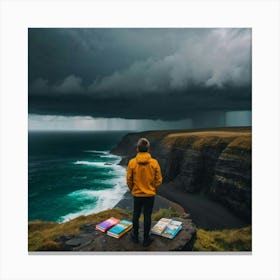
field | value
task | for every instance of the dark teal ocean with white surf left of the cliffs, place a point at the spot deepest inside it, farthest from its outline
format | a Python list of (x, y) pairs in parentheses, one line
[(72, 174)]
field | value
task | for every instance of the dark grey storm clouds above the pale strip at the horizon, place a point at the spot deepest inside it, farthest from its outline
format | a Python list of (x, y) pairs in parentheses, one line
[(166, 74)]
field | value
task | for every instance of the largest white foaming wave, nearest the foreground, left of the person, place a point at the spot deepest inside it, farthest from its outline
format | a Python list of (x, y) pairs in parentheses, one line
[(101, 200)]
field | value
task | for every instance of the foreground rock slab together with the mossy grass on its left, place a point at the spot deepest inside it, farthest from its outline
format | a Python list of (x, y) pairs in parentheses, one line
[(80, 234)]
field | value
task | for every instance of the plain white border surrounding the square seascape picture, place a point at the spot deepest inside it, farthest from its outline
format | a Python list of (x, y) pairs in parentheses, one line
[(261, 16)]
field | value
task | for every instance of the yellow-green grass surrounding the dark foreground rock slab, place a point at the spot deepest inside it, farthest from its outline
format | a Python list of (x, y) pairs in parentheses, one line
[(41, 235)]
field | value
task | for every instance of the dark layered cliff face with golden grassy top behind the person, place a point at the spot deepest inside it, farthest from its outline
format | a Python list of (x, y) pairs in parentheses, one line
[(215, 163)]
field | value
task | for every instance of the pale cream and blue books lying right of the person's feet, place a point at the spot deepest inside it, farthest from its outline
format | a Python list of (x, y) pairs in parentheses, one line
[(167, 228)]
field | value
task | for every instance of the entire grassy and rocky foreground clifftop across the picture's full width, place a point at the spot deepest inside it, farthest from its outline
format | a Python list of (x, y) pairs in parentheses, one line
[(80, 235)]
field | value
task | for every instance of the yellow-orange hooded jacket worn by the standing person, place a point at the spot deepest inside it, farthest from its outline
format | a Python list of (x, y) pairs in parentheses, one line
[(143, 175)]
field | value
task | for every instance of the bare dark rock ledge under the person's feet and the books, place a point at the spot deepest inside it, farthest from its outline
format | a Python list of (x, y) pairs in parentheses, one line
[(89, 239)]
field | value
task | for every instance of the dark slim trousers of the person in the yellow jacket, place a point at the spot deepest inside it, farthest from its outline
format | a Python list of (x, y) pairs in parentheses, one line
[(147, 204)]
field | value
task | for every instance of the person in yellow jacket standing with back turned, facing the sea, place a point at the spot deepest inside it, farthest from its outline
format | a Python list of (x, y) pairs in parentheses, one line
[(143, 177)]
